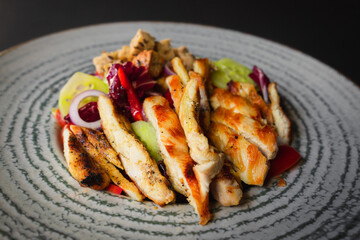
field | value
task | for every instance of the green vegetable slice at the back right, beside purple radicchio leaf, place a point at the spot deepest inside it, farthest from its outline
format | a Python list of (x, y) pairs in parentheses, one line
[(228, 70)]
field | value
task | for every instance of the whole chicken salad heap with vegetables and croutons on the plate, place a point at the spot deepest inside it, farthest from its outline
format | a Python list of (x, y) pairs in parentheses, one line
[(156, 122)]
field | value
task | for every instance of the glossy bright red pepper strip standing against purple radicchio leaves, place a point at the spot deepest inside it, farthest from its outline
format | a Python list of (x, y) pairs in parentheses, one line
[(135, 105)]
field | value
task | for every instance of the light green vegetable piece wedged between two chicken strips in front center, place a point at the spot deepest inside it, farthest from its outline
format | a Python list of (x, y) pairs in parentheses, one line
[(147, 135)]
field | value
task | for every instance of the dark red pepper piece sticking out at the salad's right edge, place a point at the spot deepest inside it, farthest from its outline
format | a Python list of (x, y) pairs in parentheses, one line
[(286, 157)]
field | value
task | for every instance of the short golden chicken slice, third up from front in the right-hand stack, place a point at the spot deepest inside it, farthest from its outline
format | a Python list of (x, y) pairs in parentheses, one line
[(238, 104)]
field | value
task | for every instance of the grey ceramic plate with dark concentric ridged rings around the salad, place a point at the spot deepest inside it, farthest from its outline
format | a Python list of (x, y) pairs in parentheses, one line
[(39, 198)]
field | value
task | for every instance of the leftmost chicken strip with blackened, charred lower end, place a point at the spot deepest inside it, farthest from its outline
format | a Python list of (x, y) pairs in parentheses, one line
[(80, 164)]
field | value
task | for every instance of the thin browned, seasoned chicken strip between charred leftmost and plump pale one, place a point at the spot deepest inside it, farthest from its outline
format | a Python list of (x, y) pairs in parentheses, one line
[(97, 147)]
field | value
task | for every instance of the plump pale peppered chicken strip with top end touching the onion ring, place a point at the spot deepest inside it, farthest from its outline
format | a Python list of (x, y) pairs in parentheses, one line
[(137, 162)]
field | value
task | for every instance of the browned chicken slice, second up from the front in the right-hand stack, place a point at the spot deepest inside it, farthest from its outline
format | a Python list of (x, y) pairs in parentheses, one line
[(262, 136)]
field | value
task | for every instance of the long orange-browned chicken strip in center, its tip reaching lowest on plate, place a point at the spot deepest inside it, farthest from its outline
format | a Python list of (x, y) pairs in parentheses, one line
[(172, 142)]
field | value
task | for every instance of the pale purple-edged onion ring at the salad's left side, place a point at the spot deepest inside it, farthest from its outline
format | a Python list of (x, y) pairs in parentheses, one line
[(74, 109)]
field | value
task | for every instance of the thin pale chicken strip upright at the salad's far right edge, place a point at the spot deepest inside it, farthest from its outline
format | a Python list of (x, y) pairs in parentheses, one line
[(281, 121)]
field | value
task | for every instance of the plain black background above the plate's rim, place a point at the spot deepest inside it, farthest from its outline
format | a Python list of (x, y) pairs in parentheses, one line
[(326, 30)]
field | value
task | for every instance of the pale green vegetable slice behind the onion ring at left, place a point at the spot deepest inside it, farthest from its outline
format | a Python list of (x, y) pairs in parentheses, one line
[(79, 82)]
